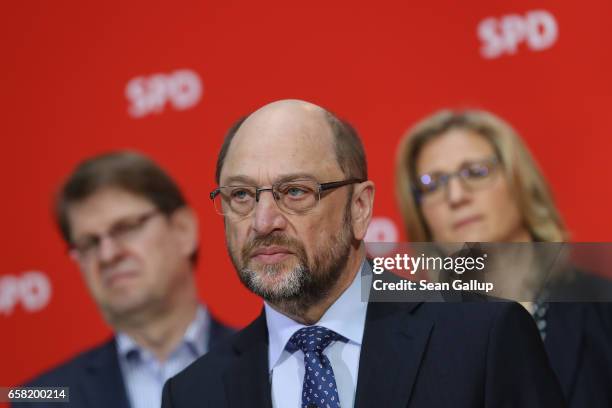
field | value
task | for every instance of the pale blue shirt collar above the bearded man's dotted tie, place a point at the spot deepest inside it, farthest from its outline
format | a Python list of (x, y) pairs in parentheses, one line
[(346, 316)]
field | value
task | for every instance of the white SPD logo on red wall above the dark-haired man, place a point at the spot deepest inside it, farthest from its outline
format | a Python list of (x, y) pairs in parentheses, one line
[(181, 89)]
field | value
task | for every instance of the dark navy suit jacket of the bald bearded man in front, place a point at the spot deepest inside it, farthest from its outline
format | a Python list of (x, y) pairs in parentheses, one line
[(418, 355)]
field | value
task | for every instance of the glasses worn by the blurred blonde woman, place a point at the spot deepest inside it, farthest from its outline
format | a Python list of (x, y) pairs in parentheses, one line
[(474, 175)]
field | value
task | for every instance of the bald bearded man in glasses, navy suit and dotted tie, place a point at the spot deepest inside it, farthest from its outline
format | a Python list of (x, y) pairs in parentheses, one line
[(296, 200)]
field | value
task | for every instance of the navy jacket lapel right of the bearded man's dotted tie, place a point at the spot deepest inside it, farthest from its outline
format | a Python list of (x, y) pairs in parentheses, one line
[(393, 345)]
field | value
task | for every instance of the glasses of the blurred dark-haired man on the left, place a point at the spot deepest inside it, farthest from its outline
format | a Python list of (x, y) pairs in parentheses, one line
[(121, 232)]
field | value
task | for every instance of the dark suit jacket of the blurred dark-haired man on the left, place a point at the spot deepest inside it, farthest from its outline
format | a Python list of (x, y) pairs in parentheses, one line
[(94, 376)]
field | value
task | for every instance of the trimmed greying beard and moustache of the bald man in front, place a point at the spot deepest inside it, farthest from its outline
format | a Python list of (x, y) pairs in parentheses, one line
[(304, 285)]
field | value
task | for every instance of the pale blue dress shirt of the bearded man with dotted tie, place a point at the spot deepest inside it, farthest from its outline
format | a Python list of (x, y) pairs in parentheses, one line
[(346, 316)]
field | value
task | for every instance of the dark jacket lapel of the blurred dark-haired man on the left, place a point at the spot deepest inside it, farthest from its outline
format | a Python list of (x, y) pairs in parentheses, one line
[(102, 383)]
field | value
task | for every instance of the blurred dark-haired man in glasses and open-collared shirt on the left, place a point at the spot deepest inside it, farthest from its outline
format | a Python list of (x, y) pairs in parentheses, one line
[(135, 240)]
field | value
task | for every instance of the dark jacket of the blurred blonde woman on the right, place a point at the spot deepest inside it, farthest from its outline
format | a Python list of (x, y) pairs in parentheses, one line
[(579, 337)]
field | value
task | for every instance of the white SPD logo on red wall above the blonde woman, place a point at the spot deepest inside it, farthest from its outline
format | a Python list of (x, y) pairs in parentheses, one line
[(537, 29)]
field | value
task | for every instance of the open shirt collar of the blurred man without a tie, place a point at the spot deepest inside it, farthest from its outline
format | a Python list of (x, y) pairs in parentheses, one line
[(195, 338)]
